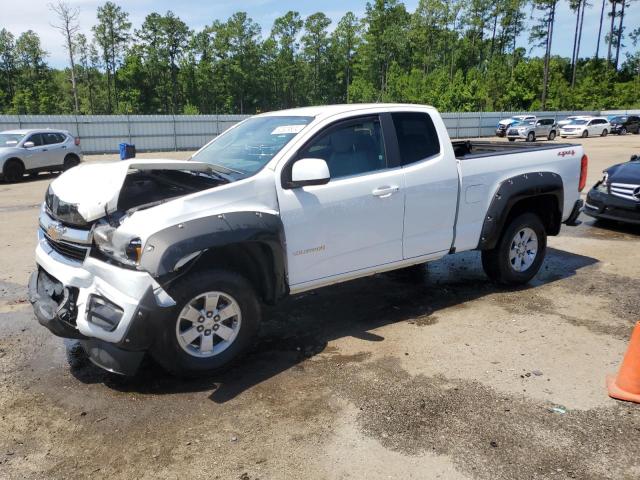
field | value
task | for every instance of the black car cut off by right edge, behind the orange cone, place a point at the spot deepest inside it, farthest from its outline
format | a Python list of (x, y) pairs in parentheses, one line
[(617, 195)]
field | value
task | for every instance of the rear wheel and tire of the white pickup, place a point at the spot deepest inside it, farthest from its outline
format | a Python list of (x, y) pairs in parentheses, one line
[(499, 264)]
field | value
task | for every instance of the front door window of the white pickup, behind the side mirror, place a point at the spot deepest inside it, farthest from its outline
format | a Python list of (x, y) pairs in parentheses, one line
[(350, 149)]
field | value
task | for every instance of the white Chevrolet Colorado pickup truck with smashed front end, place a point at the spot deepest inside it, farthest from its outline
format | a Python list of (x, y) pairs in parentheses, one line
[(174, 258)]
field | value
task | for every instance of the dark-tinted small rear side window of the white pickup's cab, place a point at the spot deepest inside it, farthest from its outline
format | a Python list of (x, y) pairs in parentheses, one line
[(417, 137)]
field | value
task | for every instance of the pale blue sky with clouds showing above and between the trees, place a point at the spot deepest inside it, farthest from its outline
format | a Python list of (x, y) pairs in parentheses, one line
[(23, 15)]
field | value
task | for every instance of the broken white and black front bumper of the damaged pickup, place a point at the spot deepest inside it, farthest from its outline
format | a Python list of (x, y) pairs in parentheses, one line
[(110, 309)]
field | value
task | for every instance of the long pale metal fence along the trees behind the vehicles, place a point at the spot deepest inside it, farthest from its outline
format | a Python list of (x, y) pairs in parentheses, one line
[(103, 133)]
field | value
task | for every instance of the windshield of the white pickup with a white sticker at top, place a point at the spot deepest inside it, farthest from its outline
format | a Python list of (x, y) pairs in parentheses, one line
[(245, 149)]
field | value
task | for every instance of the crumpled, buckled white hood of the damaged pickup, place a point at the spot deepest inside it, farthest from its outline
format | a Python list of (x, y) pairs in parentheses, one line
[(95, 187)]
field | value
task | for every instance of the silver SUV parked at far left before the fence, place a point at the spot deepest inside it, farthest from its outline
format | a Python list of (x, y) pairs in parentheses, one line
[(33, 151)]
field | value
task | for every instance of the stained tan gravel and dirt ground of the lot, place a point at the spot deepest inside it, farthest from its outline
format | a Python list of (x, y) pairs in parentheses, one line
[(435, 374)]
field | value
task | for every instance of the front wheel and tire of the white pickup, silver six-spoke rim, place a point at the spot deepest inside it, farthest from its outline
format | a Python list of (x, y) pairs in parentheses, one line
[(188, 359)]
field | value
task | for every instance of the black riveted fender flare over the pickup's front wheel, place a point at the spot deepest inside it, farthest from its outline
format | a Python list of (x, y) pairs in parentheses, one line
[(166, 247)]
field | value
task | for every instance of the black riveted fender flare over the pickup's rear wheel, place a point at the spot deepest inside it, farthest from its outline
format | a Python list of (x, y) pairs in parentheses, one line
[(509, 193)]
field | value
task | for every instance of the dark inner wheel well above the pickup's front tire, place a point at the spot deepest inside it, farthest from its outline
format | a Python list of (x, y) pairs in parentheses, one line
[(252, 260)]
